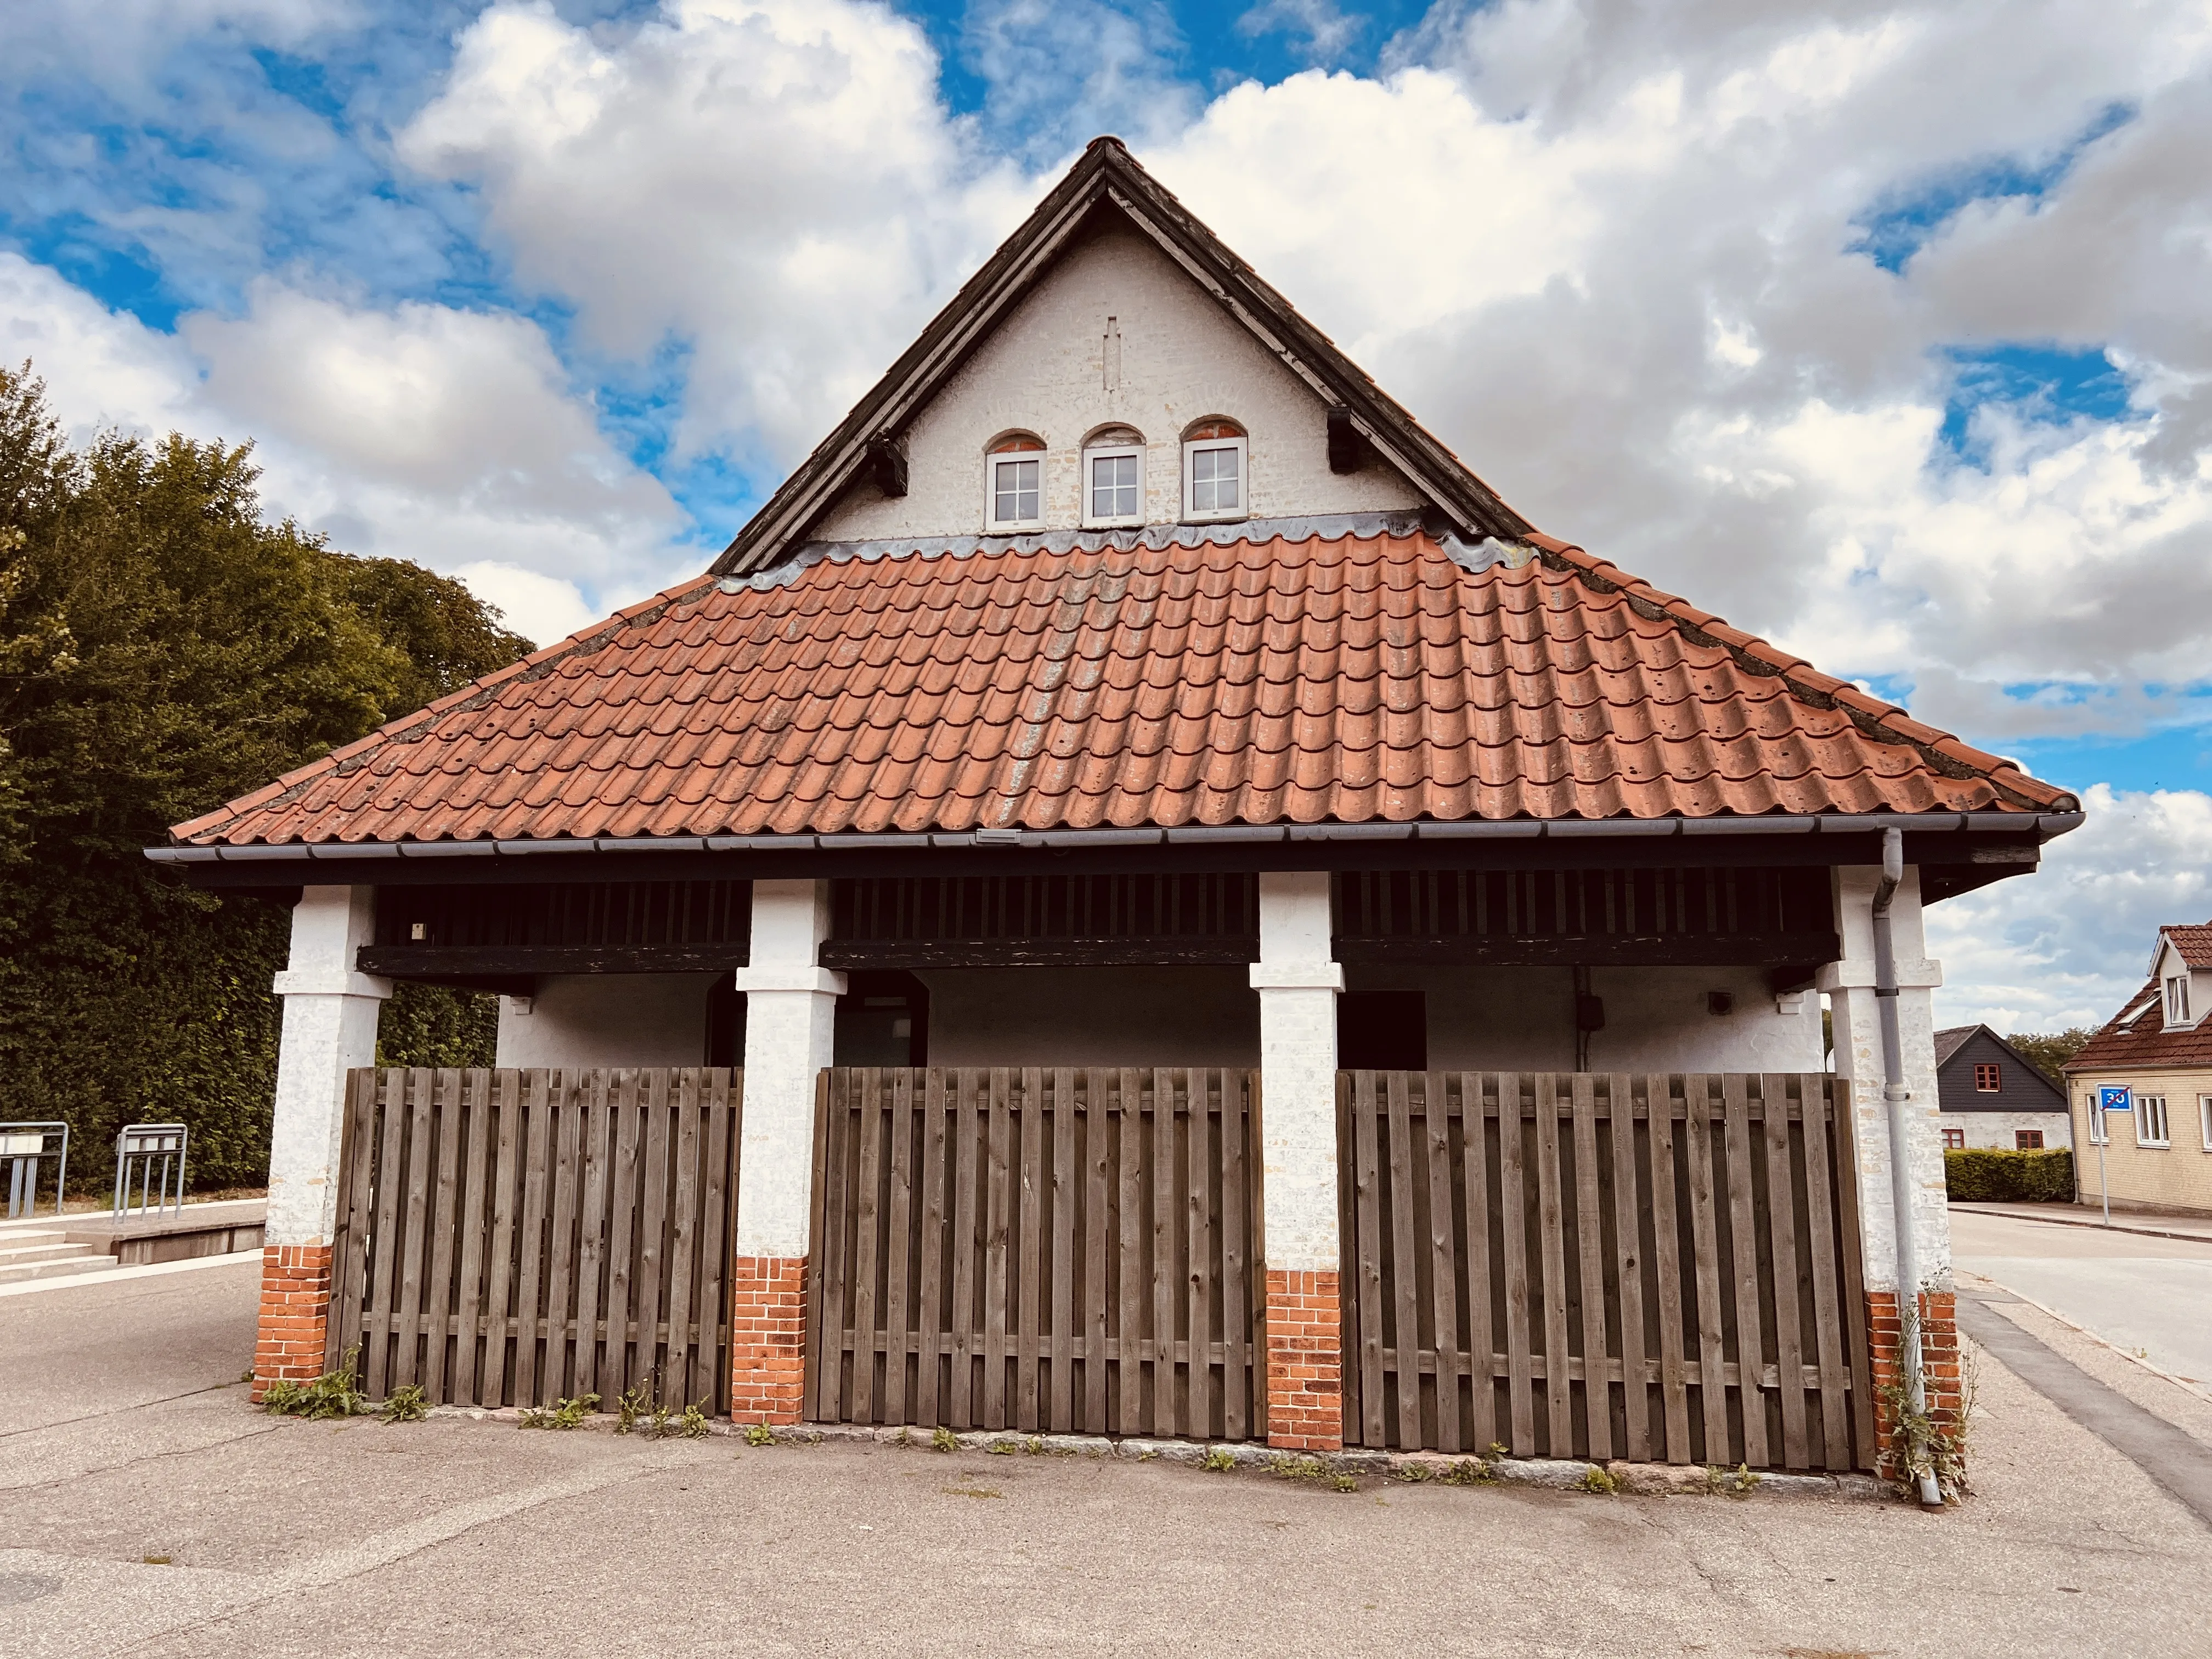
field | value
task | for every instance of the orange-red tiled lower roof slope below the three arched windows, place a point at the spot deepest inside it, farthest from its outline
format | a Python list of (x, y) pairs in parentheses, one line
[(1229, 682)]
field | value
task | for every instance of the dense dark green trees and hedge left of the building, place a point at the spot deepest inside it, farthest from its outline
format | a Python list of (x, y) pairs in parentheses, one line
[(165, 649)]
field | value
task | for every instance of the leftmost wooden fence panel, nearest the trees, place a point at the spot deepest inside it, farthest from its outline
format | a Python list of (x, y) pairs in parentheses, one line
[(517, 1238)]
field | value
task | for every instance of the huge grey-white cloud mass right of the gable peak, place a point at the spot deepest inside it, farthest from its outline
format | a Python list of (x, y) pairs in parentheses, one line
[(1618, 258)]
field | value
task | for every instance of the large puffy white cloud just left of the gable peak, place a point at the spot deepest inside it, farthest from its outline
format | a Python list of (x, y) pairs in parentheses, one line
[(771, 185)]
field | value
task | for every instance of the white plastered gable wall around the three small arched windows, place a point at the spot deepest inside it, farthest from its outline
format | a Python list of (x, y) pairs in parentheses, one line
[(1045, 371)]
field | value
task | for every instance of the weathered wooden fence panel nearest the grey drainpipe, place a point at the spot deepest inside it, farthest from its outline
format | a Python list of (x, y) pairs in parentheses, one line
[(1605, 1266)]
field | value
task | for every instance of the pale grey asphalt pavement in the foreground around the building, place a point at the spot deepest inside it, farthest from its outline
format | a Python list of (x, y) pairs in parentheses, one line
[(149, 1510)]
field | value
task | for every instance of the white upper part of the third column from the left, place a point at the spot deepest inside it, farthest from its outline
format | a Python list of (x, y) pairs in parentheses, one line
[(1297, 985)]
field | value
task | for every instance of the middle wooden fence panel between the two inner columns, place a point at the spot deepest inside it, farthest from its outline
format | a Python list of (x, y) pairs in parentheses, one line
[(1043, 1251)]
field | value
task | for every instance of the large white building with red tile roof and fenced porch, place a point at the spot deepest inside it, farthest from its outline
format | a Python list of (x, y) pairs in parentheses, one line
[(1131, 716)]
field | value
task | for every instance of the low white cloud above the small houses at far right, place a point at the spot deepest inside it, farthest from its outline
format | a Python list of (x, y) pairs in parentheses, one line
[(2067, 946)]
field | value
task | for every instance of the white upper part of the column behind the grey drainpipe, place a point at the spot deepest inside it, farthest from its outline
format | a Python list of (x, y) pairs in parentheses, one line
[(1859, 1056)]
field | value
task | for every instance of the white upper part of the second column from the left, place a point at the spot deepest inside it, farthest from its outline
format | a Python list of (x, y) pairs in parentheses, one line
[(791, 1025)]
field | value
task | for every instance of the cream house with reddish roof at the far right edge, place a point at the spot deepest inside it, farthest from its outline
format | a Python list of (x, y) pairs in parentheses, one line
[(2160, 1047)]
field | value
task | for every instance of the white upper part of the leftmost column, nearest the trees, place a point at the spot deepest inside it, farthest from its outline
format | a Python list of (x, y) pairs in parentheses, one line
[(328, 1030)]
